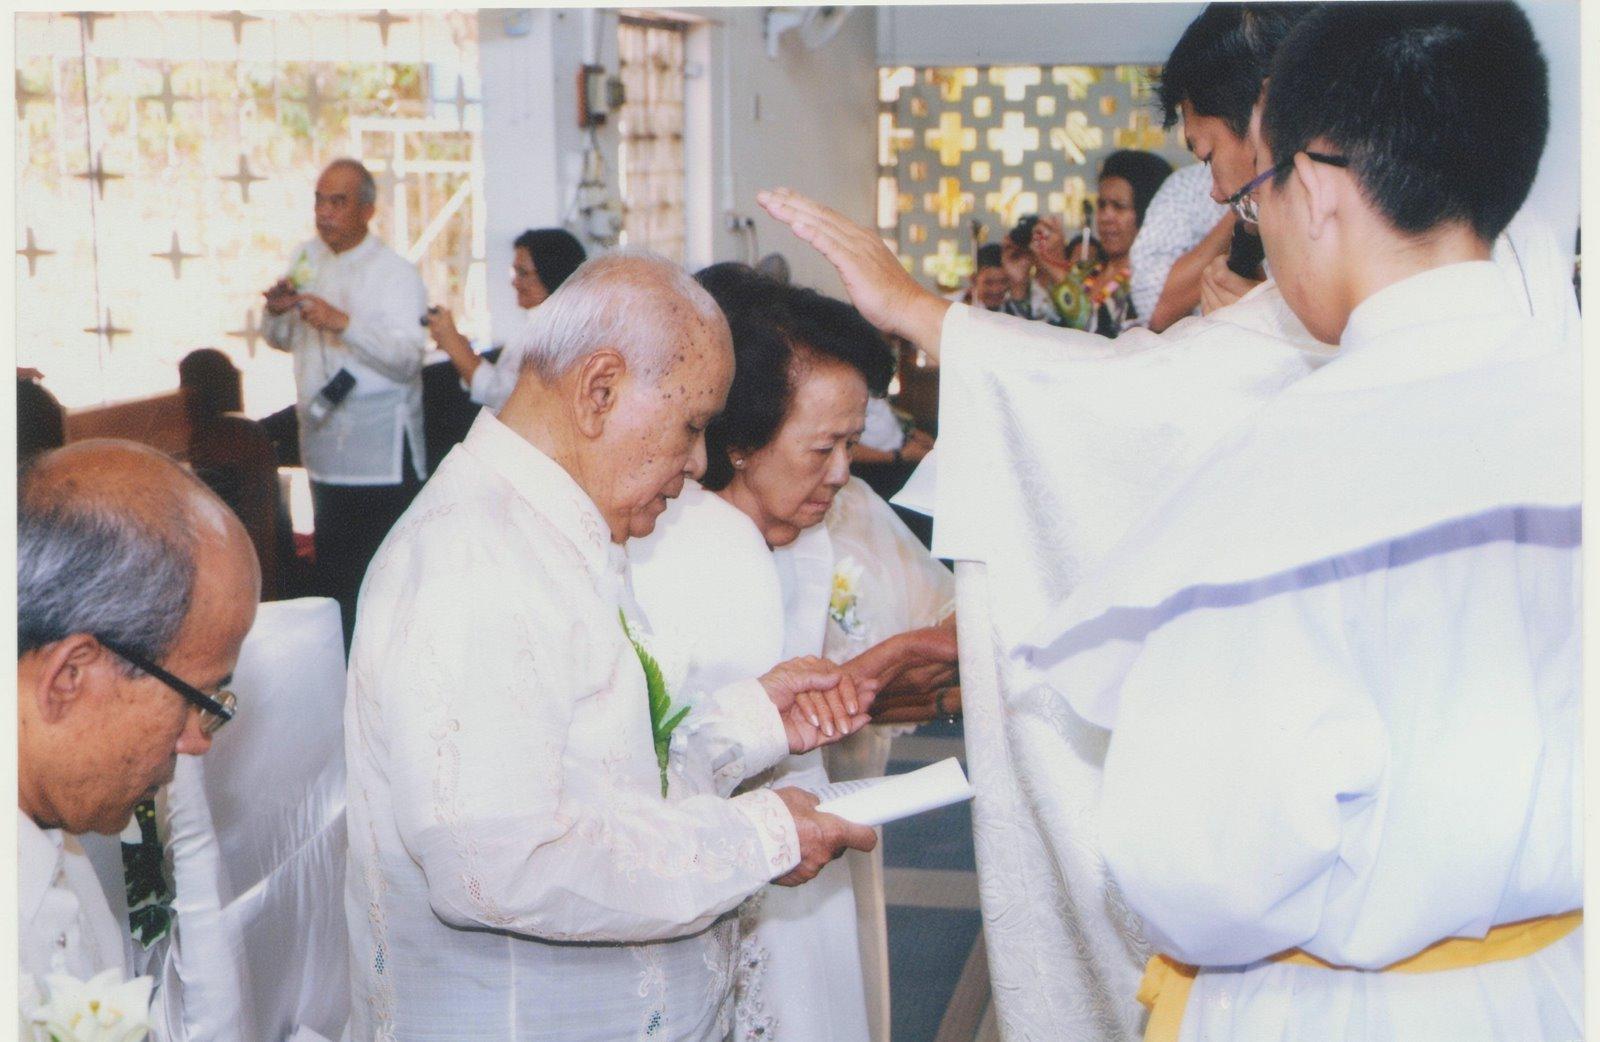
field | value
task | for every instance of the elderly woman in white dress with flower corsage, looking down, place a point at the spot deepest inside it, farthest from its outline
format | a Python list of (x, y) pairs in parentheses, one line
[(782, 553)]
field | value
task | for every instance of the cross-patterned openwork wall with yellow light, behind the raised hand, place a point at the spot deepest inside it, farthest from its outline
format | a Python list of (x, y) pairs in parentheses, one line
[(993, 145)]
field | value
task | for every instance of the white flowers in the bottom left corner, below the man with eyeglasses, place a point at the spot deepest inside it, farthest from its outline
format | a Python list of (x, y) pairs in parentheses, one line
[(102, 1009)]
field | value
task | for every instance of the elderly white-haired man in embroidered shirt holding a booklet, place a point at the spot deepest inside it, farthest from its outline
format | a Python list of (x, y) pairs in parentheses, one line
[(524, 864)]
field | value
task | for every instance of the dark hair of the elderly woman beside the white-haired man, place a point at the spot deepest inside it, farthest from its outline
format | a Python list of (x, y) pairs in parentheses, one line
[(778, 334)]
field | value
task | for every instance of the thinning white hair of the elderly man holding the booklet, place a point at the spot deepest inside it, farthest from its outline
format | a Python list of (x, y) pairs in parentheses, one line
[(631, 302)]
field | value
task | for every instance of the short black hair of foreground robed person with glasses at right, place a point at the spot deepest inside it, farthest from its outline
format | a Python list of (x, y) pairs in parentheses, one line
[(1441, 108)]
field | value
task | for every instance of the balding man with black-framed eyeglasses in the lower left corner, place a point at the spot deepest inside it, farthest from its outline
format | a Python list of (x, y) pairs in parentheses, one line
[(135, 591)]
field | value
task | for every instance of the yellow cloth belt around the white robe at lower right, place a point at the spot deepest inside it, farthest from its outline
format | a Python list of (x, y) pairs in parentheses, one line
[(1167, 982)]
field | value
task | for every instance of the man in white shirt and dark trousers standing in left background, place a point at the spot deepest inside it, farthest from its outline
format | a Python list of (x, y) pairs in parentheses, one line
[(350, 311)]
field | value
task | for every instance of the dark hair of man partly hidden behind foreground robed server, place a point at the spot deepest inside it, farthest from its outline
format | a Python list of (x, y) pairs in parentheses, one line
[(1222, 60)]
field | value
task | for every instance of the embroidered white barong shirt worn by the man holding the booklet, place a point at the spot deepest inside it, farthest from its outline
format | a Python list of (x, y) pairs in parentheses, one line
[(514, 868)]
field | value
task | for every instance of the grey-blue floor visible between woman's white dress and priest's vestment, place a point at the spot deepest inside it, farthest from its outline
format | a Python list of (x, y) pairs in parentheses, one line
[(938, 977)]
